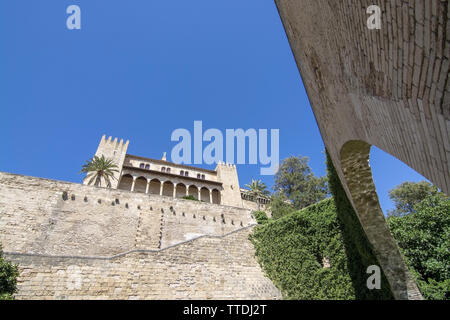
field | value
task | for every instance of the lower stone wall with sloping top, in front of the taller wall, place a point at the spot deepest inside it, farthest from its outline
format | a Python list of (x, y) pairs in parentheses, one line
[(205, 268)]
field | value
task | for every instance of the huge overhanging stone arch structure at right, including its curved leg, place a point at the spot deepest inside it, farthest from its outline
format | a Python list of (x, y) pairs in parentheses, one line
[(388, 88)]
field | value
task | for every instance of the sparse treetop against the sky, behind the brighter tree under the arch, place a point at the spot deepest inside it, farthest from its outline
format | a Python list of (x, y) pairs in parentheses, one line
[(408, 194)]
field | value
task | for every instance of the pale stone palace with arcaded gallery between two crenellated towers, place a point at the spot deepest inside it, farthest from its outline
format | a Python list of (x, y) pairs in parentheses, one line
[(164, 178)]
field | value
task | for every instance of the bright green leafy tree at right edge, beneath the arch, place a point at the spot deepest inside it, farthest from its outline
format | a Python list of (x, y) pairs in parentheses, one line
[(424, 239)]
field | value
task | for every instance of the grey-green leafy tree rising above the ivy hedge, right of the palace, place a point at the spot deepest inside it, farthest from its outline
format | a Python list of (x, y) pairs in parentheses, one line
[(297, 181)]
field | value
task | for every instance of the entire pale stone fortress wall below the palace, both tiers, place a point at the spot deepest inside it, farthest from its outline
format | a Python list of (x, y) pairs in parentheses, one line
[(77, 241)]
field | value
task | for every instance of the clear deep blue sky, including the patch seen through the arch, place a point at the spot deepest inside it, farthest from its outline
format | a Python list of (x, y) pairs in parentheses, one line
[(140, 69)]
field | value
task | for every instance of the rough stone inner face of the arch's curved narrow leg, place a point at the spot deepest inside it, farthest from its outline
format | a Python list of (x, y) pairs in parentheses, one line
[(354, 157)]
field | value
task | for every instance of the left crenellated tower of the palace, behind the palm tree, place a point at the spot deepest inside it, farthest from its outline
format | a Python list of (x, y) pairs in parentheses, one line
[(115, 150)]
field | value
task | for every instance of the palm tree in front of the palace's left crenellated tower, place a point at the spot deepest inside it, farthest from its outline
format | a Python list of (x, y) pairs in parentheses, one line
[(98, 168)]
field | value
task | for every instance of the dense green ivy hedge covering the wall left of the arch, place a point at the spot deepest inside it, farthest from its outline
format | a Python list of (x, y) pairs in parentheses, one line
[(291, 251)]
